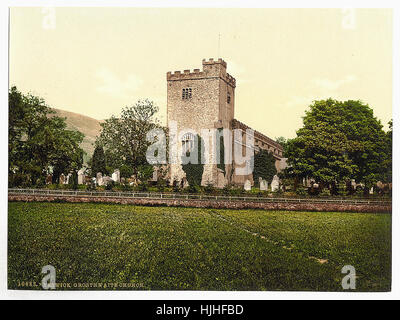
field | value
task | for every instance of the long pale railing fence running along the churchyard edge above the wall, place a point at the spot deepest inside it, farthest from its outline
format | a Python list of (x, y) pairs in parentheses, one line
[(153, 195)]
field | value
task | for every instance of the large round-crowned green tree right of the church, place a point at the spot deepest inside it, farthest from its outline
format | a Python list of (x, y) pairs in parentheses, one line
[(338, 141)]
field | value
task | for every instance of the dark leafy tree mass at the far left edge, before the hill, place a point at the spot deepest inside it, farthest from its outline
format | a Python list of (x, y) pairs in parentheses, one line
[(38, 141)]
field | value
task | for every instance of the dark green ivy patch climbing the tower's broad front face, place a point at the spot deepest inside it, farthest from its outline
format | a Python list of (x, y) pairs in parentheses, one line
[(194, 171)]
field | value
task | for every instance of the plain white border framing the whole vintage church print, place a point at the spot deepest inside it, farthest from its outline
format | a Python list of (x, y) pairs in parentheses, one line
[(189, 295)]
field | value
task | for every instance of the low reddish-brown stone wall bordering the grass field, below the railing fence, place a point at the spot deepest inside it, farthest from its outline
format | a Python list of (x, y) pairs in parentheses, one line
[(216, 204)]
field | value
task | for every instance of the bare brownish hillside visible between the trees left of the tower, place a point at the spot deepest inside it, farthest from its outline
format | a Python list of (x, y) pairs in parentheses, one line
[(88, 126)]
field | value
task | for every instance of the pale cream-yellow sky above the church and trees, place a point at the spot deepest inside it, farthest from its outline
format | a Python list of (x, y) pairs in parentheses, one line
[(95, 61)]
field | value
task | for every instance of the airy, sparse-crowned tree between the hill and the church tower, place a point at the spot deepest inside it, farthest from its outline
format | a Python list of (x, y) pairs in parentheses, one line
[(124, 138)]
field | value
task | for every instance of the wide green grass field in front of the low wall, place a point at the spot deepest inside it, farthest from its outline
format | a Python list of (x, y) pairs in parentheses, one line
[(161, 248)]
